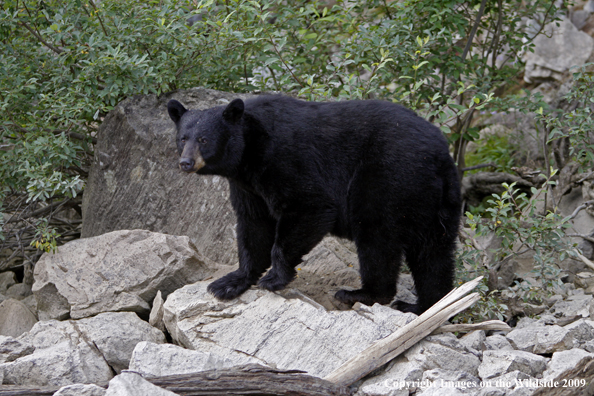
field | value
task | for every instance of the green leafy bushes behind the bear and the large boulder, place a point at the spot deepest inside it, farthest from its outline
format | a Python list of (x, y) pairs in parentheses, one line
[(64, 65)]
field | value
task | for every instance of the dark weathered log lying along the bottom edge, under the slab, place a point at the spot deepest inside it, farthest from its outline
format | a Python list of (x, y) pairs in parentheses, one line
[(245, 380)]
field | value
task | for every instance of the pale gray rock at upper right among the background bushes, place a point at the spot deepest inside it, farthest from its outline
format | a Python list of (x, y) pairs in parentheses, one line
[(555, 51)]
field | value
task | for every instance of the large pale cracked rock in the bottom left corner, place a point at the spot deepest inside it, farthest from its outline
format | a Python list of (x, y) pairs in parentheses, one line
[(63, 356)]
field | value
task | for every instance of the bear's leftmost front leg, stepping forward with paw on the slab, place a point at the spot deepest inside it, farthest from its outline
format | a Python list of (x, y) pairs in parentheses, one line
[(255, 238)]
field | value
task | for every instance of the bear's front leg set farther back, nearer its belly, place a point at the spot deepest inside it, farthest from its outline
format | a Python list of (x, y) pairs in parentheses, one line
[(296, 234)]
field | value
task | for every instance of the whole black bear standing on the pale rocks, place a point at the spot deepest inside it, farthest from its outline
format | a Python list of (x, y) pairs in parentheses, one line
[(371, 171)]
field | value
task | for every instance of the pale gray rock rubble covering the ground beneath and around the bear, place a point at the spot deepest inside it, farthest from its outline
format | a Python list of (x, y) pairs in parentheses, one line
[(285, 330)]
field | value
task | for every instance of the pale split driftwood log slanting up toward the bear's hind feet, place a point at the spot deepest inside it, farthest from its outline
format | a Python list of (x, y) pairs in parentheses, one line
[(384, 350)]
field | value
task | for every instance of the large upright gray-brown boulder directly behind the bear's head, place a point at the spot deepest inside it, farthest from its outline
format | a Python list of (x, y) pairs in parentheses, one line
[(135, 182)]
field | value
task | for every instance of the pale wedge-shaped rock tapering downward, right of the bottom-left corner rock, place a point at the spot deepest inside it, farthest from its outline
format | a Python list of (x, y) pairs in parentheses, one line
[(116, 334)]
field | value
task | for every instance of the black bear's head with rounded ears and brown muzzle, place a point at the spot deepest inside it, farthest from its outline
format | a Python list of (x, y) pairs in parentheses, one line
[(208, 141)]
